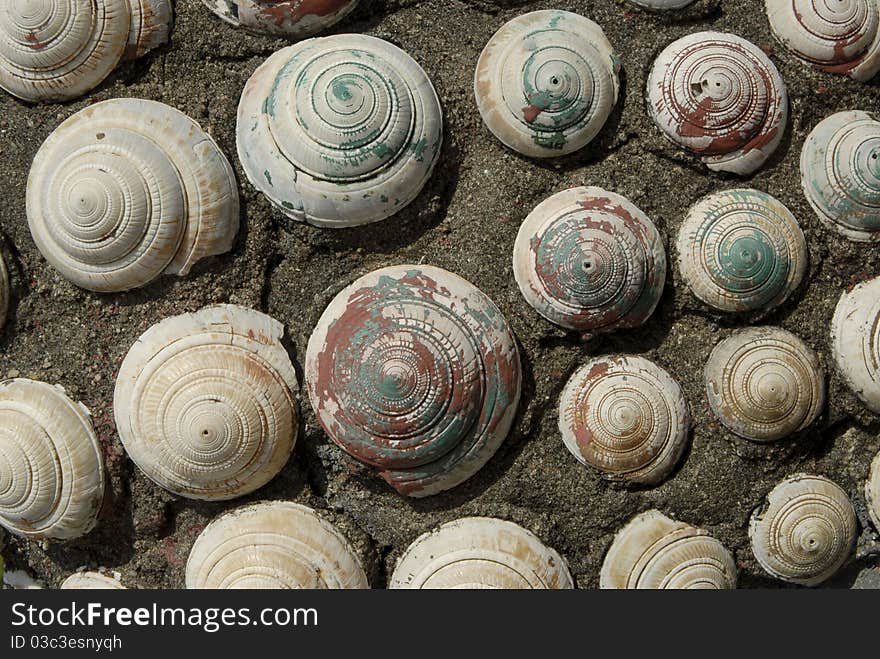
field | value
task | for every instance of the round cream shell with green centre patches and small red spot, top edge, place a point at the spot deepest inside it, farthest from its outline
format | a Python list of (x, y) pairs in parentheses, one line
[(547, 82)]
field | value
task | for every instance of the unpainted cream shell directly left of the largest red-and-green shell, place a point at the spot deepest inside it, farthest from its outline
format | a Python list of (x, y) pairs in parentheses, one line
[(205, 403)]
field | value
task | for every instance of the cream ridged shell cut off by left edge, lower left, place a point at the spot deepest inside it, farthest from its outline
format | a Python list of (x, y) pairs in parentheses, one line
[(51, 466)]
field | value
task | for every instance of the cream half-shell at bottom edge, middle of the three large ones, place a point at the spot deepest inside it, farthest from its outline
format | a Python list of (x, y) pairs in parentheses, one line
[(477, 553)]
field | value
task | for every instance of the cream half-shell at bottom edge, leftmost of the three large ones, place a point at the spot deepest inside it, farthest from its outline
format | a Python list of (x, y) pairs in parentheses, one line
[(273, 545)]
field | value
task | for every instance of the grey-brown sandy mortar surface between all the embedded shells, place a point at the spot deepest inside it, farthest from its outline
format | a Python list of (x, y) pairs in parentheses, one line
[(465, 221)]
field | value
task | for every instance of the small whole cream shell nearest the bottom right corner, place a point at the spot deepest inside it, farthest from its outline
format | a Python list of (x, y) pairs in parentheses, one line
[(805, 531)]
